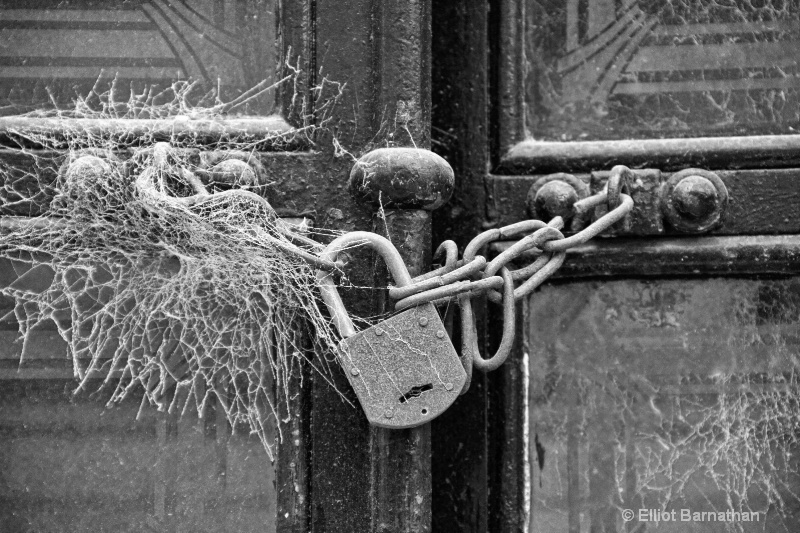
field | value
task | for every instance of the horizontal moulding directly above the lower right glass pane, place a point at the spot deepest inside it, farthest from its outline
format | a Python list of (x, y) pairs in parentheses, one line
[(692, 256)]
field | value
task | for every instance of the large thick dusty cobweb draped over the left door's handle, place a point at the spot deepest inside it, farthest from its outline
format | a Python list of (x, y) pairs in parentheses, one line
[(163, 267)]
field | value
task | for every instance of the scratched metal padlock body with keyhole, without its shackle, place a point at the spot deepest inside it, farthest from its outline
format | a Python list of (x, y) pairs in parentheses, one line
[(404, 370)]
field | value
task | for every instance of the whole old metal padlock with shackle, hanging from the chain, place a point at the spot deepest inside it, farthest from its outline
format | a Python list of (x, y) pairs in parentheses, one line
[(404, 370)]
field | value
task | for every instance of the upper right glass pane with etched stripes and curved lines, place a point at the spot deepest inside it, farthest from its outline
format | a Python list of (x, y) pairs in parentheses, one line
[(612, 69)]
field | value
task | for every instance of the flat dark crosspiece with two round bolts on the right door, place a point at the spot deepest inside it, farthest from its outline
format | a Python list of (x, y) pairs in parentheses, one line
[(689, 202)]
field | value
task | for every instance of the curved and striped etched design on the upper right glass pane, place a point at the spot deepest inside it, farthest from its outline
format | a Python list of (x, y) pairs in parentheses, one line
[(632, 46)]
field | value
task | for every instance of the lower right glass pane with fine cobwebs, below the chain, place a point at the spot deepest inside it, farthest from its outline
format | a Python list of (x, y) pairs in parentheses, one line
[(653, 399)]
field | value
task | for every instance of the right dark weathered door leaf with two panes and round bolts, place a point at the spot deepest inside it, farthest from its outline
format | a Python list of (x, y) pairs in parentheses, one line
[(653, 386)]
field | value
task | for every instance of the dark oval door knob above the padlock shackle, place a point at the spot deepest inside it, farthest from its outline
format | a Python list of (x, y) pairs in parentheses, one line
[(402, 178)]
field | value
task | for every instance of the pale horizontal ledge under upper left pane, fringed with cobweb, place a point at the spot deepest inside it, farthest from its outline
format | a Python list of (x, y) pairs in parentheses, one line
[(23, 131)]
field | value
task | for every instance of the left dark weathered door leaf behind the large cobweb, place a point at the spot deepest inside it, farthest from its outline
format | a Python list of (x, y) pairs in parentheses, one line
[(359, 79)]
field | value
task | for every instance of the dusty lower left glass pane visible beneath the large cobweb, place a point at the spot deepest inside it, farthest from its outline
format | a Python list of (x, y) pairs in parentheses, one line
[(70, 464)]
